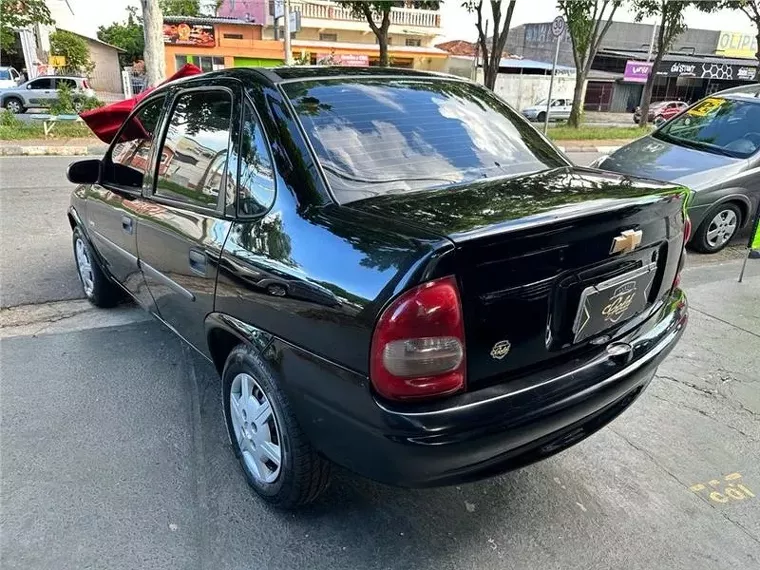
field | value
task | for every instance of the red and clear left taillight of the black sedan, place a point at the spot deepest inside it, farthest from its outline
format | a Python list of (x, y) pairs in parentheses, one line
[(418, 346)]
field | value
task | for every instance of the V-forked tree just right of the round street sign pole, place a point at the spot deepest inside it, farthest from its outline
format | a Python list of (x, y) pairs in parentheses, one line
[(587, 22)]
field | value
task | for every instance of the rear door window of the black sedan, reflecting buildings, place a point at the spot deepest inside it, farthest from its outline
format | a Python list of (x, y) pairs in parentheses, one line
[(196, 149)]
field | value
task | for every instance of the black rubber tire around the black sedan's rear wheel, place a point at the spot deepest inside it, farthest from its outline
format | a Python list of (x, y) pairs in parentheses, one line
[(303, 473)]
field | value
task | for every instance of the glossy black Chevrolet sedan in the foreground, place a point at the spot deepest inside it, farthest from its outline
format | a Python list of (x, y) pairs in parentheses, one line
[(452, 298)]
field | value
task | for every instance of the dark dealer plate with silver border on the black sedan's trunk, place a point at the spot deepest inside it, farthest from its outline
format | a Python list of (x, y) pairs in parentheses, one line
[(606, 304)]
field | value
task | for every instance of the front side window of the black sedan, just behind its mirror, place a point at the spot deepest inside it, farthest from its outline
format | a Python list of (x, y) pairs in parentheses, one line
[(132, 148)]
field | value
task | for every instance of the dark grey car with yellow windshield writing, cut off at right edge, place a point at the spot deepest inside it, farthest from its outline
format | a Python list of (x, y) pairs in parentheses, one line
[(714, 149)]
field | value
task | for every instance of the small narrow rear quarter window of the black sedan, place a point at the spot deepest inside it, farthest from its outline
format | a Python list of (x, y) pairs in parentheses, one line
[(256, 186)]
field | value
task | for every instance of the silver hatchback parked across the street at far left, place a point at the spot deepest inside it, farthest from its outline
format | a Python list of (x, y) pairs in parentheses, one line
[(42, 92)]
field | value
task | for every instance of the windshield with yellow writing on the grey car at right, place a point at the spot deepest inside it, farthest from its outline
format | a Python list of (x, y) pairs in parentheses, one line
[(722, 126)]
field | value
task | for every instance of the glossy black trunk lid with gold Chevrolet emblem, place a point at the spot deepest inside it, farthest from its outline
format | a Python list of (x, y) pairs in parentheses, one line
[(539, 258)]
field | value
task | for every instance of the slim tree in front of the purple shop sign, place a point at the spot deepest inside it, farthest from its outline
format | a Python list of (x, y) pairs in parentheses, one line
[(671, 26)]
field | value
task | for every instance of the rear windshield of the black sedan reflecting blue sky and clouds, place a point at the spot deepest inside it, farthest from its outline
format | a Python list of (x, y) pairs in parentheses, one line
[(382, 136)]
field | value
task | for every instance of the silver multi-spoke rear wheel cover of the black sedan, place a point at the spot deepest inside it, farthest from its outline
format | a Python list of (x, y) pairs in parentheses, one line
[(256, 429)]
